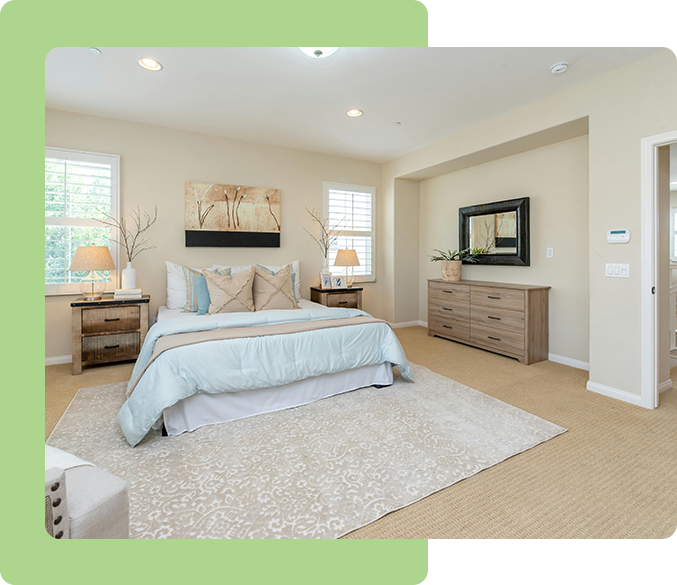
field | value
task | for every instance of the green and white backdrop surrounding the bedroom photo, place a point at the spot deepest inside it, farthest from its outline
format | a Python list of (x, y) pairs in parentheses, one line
[(28, 31)]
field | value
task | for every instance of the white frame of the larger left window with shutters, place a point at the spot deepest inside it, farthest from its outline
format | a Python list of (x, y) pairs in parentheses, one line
[(92, 157)]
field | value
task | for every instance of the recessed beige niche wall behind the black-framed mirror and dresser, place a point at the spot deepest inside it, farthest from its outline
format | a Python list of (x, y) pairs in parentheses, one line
[(556, 180)]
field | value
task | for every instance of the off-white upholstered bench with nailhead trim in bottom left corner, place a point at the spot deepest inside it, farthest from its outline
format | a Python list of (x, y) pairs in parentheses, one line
[(83, 501)]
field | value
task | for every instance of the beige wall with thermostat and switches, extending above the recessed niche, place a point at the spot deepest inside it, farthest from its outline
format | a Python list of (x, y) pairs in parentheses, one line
[(623, 107)]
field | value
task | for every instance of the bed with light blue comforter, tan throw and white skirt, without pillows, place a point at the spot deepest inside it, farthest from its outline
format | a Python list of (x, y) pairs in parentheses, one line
[(195, 371)]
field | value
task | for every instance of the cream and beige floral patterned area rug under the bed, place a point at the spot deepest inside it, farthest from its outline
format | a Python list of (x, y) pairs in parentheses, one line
[(317, 471)]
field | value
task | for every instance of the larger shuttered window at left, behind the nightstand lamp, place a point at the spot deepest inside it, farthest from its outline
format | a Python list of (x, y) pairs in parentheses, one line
[(79, 187)]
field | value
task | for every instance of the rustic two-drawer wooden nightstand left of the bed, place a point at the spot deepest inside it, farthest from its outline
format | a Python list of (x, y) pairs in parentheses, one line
[(107, 330)]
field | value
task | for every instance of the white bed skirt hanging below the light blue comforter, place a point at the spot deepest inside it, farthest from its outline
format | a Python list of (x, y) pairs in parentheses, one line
[(200, 410)]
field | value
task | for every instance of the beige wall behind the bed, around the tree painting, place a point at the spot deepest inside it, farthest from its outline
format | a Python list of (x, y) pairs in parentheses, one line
[(154, 164)]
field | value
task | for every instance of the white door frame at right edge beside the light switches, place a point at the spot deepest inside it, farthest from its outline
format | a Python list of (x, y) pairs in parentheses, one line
[(649, 257)]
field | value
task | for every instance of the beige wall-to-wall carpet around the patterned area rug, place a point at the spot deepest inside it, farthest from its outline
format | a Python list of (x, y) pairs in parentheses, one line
[(612, 476)]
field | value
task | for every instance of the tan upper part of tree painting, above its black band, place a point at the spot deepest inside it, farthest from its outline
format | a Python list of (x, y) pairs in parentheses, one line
[(232, 208)]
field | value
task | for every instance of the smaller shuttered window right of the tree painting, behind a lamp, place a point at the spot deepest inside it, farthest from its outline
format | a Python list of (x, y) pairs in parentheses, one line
[(350, 209)]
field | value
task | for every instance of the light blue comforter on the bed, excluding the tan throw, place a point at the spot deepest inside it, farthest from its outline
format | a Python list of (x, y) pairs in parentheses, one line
[(232, 365)]
